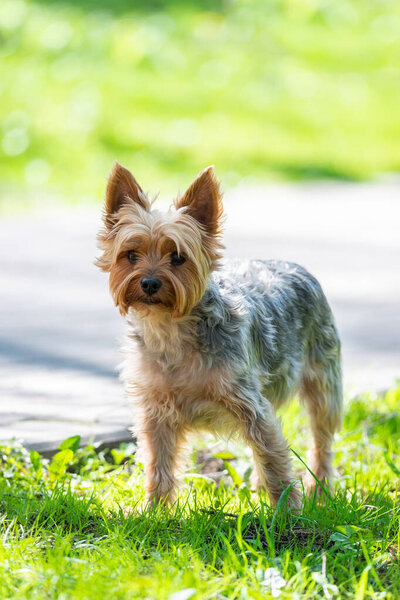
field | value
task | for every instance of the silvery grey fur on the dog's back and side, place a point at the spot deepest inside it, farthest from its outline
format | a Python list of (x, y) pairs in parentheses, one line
[(268, 319)]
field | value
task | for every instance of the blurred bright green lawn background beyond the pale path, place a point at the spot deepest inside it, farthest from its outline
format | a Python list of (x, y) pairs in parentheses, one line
[(263, 89)]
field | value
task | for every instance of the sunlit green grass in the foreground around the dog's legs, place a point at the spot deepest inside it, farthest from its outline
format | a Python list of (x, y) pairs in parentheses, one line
[(65, 534)]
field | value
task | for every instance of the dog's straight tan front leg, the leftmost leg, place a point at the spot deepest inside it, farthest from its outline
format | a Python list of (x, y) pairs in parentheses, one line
[(160, 442)]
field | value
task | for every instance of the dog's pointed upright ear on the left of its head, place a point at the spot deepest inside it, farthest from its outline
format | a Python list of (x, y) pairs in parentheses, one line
[(122, 188)]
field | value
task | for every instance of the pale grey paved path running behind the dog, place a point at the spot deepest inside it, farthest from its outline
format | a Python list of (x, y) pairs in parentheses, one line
[(59, 331)]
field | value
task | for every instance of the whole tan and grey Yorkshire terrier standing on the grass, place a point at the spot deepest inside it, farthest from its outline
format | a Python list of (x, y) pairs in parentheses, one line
[(215, 346)]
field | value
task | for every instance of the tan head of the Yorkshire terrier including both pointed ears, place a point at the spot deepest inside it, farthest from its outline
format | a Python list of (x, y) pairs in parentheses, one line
[(159, 261)]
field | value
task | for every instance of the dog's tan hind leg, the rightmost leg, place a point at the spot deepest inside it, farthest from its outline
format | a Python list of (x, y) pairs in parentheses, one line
[(321, 392)]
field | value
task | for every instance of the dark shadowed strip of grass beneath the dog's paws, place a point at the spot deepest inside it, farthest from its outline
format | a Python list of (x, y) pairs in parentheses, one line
[(62, 511)]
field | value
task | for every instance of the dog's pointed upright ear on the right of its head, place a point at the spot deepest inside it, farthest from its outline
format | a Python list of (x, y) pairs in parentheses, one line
[(203, 201)]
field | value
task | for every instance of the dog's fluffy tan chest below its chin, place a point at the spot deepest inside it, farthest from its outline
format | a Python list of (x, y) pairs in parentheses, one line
[(175, 370)]
